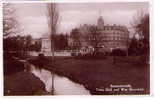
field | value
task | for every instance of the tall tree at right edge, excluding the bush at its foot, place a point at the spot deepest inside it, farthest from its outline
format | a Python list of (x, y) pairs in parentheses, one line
[(141, 26)]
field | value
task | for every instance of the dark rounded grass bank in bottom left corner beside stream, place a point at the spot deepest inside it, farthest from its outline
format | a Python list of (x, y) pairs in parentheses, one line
[(23, 84)]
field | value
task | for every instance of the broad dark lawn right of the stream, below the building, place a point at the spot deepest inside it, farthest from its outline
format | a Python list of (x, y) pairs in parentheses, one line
[(99, 74)]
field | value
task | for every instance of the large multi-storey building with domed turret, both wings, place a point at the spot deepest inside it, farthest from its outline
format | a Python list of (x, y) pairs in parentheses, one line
[(112, 36)]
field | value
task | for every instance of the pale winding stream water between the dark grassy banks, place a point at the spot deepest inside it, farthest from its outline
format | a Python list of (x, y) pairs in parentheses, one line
[(62, 85)]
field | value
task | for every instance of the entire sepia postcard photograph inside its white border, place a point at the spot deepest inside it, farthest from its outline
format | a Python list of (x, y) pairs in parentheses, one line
[(76, 48)]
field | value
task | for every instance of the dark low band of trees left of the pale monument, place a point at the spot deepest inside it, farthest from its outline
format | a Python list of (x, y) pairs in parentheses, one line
[(19, 45)]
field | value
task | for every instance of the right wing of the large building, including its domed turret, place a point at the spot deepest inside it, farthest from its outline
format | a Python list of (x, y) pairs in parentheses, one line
[(114, 36)]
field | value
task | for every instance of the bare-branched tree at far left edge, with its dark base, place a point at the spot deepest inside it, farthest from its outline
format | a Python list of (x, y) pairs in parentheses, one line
[(12, 30)]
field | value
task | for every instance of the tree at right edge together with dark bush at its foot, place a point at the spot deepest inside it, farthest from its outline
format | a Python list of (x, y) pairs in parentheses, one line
[(141, 26)]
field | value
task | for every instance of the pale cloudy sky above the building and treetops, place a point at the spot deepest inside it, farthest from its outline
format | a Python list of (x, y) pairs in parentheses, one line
[(32, 16)]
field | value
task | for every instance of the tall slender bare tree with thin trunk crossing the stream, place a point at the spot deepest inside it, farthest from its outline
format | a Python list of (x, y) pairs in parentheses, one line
[(52, 16)]
